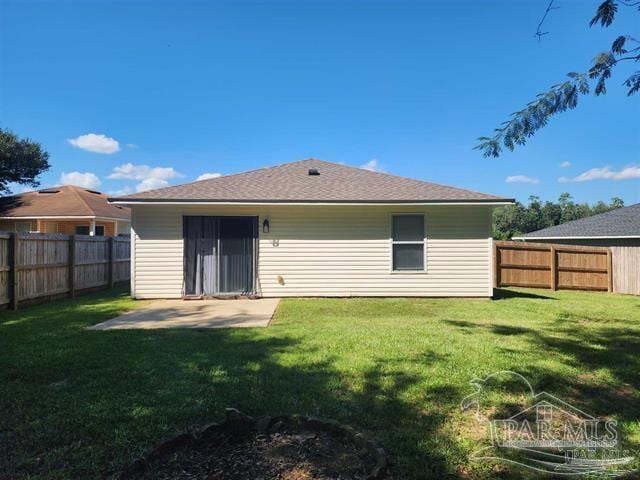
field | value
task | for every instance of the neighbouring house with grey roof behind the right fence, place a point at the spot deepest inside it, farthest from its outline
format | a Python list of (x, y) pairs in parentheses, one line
[(616, 228)]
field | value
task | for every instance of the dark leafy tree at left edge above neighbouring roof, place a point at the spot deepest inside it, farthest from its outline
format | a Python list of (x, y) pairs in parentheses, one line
[(21, 161)]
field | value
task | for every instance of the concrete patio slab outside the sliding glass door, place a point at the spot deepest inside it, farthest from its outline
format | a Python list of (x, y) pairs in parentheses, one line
[(195, 314)]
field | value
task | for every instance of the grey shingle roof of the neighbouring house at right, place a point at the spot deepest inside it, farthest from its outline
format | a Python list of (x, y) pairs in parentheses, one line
[(621, 222)]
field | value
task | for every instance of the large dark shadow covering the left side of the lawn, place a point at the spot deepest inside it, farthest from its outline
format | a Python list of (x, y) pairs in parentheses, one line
[(81, 404)]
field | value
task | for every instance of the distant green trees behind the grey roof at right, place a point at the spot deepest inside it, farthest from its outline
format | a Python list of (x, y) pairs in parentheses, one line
[(516, 219)]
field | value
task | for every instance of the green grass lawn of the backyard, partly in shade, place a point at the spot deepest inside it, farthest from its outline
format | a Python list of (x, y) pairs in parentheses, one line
[(79, 404)]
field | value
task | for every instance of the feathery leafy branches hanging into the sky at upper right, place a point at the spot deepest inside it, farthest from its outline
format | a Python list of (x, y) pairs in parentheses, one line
[(524, 123)]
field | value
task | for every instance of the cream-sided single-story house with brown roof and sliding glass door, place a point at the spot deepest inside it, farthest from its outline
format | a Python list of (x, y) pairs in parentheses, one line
[(311, 228)]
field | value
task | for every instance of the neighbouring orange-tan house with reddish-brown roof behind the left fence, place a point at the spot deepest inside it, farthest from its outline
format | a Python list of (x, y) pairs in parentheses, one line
[(66, 209)]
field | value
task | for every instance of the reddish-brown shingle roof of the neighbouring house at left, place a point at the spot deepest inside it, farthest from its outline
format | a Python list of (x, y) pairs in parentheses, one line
[(64, 201)]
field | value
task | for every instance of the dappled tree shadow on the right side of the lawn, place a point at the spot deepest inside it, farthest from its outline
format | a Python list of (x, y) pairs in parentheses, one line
[(606, 357)]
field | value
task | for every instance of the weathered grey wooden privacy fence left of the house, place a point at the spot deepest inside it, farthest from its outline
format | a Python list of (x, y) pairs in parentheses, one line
[(41, 265)]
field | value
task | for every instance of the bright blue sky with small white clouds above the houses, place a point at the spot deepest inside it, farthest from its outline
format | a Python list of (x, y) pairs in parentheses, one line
[(189, 88)]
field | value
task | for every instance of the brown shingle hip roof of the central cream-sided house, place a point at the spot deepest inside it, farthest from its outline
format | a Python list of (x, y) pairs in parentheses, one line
[(292, 182)]
